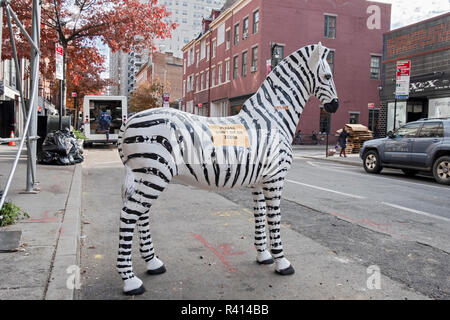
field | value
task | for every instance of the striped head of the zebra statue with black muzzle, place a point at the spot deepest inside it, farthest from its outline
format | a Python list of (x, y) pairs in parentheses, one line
[(324, 89)]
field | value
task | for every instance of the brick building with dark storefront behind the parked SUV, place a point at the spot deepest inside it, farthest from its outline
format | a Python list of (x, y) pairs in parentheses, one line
[(427, 45)]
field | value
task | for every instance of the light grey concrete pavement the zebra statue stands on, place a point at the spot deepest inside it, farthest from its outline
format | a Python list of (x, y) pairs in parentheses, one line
[(206, 243)]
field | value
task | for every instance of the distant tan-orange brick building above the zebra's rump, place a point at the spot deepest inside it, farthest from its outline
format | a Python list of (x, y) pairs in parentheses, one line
[(166, 68)]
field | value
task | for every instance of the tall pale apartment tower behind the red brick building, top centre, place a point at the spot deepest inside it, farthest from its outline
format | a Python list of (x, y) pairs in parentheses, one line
[(188, 14)]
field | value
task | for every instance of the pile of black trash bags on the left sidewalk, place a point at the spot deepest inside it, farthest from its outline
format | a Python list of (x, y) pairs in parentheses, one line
[(60, 148)]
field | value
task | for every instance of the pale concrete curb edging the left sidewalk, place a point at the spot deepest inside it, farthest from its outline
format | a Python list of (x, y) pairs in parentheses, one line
[(66, 261)]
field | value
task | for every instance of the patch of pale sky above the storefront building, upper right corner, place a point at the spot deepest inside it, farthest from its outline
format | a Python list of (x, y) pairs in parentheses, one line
[(405, 12)]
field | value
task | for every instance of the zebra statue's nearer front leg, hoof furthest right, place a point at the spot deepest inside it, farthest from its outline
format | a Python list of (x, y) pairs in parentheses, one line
[(272, 194)]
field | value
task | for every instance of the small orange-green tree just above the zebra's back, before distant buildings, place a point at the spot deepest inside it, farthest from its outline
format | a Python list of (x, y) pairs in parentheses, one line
[(148, 95)]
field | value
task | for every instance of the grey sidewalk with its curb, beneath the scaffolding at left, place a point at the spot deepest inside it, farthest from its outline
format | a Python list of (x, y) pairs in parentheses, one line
[(49, 242)]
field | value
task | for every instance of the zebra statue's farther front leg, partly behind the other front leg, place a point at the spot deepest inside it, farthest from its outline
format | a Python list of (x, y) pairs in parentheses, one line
[(259, 211)]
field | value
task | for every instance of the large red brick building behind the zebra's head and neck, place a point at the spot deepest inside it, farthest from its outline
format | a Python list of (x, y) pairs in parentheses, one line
[(229, 60)]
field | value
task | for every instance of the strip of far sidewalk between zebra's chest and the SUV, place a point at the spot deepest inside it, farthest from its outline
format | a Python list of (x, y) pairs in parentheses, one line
[(318, 152)]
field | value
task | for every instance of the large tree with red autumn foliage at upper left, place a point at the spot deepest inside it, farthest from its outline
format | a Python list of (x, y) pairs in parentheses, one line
[(77, 24)]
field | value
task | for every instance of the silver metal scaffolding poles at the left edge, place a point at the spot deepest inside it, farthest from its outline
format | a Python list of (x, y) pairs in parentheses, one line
[(30, 128)]
